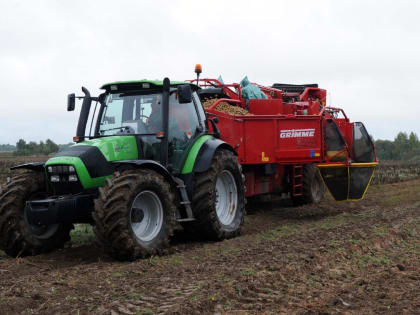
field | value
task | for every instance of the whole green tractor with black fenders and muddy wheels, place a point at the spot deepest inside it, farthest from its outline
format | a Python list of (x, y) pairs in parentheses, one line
[(147, 164)]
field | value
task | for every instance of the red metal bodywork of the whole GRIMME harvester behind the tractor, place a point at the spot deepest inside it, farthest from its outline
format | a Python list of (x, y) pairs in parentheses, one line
[(283, 130)]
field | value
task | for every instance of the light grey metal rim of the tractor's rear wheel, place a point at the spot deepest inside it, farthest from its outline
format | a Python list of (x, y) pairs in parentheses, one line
[(226, 197)]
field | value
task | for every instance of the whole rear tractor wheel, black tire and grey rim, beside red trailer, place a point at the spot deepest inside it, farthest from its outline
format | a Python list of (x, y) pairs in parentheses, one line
[(219, 199)]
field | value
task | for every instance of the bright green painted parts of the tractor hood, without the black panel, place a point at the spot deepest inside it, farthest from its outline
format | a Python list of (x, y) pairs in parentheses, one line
[(116, 148)]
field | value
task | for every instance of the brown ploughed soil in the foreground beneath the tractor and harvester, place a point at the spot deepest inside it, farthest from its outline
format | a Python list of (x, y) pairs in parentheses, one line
[(355, 257)]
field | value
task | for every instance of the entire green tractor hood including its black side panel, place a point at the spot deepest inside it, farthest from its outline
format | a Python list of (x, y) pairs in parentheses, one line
[(91, 159)]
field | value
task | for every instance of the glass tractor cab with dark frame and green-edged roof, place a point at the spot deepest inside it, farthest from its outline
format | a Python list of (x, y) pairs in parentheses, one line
[(163, 122)]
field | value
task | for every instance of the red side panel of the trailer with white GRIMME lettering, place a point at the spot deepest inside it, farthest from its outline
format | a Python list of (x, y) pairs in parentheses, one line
[(264, 139)]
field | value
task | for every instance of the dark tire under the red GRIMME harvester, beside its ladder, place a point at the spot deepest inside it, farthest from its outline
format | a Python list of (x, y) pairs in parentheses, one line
[(313, 187)]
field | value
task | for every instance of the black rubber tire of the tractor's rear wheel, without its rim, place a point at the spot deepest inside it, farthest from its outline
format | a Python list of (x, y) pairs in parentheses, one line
[(208, 224)]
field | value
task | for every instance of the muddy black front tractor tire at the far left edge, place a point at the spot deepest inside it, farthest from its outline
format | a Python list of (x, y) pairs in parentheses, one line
[(17, 237)]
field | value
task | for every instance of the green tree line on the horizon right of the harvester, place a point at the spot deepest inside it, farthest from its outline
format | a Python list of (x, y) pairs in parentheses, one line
[(404, 147)]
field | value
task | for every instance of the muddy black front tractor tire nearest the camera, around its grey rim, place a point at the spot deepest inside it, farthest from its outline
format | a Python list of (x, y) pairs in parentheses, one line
[(114, 215)]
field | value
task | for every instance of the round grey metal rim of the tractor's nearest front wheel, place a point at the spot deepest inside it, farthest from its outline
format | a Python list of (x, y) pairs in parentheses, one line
[(146, 216)]
